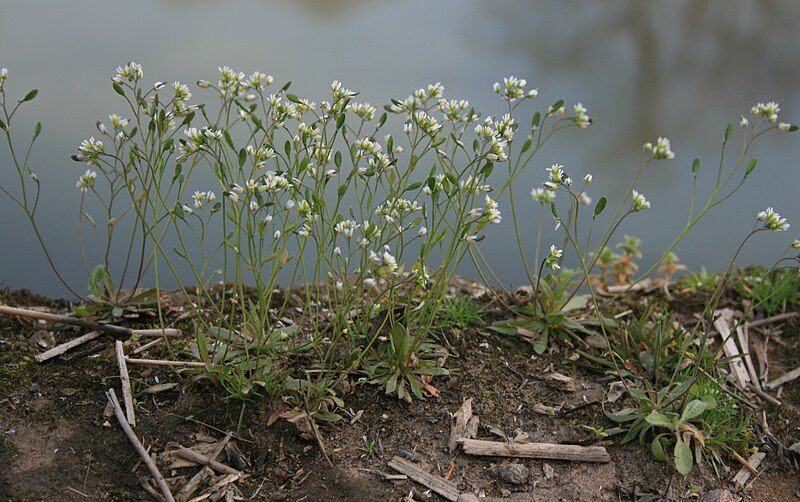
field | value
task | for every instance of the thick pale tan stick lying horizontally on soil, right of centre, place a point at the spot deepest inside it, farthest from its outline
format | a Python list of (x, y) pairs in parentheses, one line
[(536, 450)]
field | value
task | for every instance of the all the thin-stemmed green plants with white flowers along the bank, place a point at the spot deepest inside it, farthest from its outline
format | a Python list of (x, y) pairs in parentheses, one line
[(365, 214)]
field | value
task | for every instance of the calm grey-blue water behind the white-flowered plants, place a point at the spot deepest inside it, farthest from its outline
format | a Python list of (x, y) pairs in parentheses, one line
[(676, 68)]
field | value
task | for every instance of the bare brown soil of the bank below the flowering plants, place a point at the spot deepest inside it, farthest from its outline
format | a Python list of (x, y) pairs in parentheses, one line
[(56, 443)]
